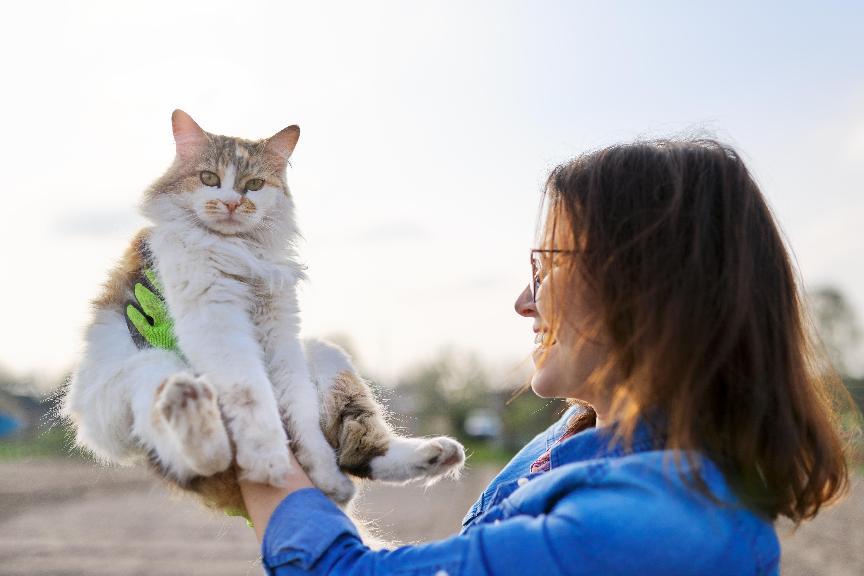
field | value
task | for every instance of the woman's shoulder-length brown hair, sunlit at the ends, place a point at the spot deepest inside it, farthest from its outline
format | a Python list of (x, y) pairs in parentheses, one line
[(697, 295)]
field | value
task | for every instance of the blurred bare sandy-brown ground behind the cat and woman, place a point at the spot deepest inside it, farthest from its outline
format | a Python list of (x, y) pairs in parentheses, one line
[(71, 518)]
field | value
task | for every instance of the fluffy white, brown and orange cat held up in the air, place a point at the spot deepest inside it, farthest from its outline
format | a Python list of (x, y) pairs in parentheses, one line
[(244, 384)]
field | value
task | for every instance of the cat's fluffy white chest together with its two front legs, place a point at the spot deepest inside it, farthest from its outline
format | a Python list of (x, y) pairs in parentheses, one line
[(236, 317)]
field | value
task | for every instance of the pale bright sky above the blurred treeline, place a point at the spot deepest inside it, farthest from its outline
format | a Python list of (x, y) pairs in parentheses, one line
[(427, 132)]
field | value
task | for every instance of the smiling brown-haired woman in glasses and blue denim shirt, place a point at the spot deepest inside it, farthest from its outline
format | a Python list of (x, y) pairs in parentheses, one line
[(662, 295)]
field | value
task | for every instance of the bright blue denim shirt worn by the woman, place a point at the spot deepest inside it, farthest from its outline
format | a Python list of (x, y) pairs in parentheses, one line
[(598, 510)]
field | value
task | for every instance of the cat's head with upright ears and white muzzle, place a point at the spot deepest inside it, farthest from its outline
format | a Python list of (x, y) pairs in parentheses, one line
[(227, 185)]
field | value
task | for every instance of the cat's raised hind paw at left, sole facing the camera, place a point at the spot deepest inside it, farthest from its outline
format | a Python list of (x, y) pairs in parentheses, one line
[(187, 405)]
